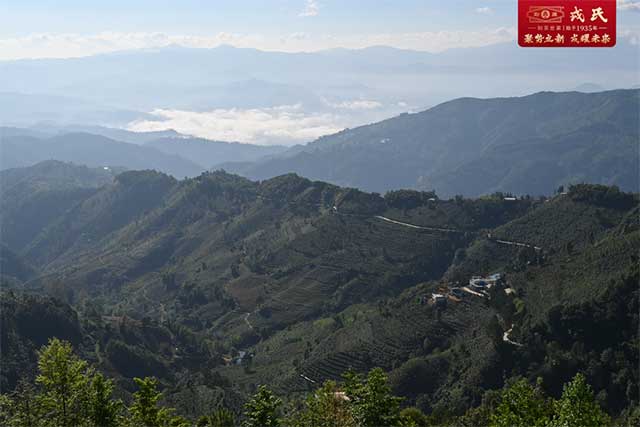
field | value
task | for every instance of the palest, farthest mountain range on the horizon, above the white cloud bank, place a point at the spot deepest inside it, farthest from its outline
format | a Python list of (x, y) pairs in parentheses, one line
[(226, 76)]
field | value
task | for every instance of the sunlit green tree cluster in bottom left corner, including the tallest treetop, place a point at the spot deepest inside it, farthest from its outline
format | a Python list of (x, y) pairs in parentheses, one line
[(69, 393)]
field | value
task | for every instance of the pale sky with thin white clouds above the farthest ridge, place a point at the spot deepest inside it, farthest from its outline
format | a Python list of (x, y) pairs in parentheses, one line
[(65, 28)]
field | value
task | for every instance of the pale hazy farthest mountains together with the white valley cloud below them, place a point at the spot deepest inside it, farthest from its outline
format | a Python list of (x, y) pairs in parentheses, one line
[(252, 96)]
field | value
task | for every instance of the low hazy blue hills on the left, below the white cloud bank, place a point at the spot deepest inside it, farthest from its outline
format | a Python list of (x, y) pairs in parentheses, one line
[(165, 151)]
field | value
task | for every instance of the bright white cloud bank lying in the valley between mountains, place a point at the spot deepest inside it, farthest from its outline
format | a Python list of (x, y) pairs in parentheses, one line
[(287, 124)]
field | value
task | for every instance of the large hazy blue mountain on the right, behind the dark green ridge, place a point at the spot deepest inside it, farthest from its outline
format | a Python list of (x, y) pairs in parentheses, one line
[(468, 146)]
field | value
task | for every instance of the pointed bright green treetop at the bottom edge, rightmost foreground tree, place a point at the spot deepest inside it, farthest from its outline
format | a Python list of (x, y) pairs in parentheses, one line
[(577, 407)]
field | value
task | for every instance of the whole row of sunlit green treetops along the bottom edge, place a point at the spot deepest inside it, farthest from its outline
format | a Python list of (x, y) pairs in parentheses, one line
[(68, 392)]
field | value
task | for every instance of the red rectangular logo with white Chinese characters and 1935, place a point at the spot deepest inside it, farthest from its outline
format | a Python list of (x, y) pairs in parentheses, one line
[(567, 23)]
